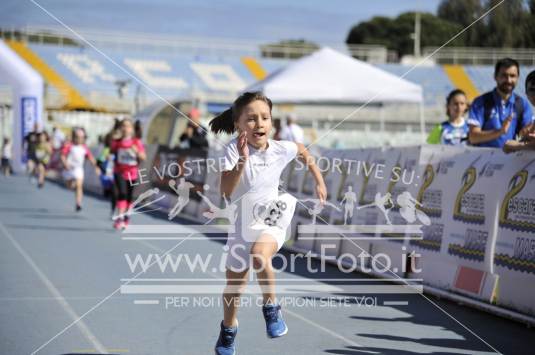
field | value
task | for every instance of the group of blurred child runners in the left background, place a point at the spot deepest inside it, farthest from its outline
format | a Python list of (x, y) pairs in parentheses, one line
[(118, 156)]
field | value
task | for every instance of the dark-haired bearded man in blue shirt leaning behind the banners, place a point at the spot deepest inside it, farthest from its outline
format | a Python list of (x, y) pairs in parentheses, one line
[(498, 116)]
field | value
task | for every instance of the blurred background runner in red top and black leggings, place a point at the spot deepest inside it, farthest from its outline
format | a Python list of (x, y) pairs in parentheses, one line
[(129, 152)]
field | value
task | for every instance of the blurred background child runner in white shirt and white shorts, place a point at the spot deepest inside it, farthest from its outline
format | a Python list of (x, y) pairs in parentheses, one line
[(73, 156)]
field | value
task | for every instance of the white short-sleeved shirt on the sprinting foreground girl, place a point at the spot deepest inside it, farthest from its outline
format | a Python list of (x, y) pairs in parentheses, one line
[(259, 183)]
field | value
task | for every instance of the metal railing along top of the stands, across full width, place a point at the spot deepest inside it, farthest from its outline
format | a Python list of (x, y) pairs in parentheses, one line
[(213, 46)]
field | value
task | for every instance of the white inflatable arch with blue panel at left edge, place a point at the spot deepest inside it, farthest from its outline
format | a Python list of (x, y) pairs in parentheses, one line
[(27, 89)]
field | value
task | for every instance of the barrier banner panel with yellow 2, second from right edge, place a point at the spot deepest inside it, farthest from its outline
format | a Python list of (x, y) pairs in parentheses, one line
[(470, 200)]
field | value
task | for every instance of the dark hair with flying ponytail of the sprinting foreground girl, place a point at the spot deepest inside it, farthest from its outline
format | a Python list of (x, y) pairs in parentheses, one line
[(224, 122)]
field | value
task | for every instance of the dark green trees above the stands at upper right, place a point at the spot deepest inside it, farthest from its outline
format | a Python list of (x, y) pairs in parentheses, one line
[(511, 24)]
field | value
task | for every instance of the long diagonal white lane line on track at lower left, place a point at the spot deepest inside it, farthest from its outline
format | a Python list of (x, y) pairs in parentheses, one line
[(56, 294)]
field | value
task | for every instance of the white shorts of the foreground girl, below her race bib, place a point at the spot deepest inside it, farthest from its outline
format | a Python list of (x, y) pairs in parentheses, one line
[(238, 248)]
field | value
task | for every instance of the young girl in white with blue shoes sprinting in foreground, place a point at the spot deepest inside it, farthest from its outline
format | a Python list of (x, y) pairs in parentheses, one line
[(251, 173)]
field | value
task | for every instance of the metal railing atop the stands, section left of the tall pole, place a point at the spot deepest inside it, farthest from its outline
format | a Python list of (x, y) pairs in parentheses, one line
[(175, 44)]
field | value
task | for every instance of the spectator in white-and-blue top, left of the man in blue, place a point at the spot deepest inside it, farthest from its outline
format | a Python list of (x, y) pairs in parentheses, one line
[(455, 130)]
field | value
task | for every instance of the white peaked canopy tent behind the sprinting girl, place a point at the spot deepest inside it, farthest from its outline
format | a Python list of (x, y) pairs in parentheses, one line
[(328, 76)]
